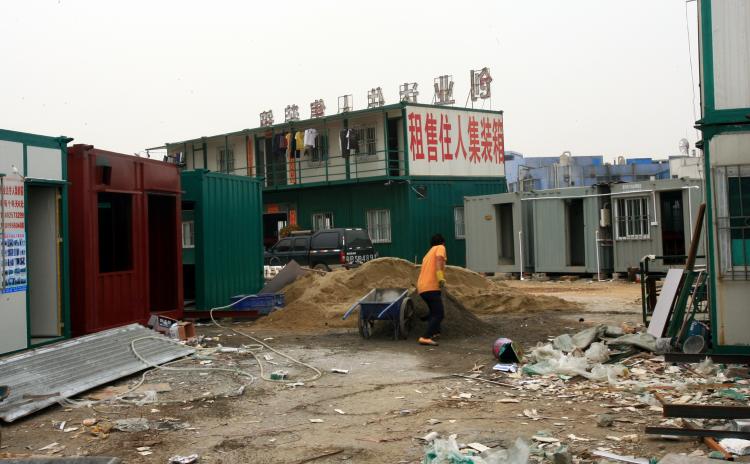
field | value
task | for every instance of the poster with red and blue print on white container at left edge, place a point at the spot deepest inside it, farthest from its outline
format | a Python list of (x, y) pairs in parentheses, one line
[(13, 238)]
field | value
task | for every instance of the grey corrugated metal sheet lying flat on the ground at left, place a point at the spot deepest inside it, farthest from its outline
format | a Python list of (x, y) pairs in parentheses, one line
[(77, 365)]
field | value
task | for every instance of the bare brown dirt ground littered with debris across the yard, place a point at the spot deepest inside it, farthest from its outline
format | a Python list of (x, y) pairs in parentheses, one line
[(394, 392)]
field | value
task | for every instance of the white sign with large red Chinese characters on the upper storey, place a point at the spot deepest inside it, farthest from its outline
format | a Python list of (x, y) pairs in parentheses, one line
[(455, 142)]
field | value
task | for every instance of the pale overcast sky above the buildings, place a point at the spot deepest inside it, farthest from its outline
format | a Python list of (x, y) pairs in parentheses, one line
[(590, 76)]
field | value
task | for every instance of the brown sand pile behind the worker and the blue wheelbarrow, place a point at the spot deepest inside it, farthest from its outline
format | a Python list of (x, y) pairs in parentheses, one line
[(317, 301)]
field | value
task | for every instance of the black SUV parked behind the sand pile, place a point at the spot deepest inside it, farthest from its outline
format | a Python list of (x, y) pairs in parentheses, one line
[(325, 249)]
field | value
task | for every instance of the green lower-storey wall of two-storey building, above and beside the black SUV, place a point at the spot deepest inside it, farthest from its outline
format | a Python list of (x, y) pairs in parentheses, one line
[(413, 219)]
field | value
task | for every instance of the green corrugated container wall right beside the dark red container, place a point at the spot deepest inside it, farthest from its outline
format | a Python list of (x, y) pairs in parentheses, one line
[(228, 252)]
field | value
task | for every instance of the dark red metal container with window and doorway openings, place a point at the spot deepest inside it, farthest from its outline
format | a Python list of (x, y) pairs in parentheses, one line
[(125, 239)]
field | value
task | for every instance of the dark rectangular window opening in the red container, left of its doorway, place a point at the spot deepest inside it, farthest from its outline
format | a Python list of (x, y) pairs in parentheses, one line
[(115, 221)]
